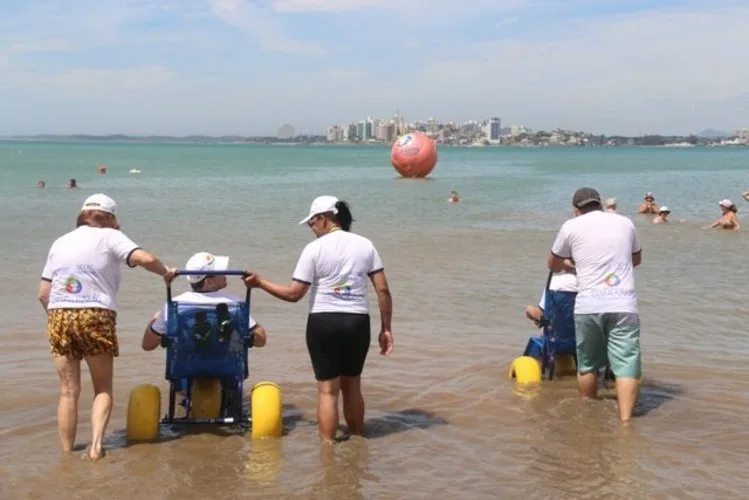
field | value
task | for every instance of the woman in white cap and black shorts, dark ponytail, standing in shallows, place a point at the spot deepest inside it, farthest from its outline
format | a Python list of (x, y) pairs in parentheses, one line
[(337, 266)]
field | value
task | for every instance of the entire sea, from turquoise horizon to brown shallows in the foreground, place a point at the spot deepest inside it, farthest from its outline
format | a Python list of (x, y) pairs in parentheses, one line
[(443, 417)]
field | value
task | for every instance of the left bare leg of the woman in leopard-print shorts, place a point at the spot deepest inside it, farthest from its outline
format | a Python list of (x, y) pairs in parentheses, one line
[(69, 372)]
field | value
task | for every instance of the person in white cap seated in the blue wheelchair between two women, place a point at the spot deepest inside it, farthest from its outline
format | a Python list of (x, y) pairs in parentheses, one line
[(206, 290)]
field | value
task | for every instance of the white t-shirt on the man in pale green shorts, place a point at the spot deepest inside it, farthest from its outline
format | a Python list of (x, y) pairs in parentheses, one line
[(601, 244)]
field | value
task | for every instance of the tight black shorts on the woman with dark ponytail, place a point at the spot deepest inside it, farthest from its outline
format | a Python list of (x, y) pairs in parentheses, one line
[(337, 343)]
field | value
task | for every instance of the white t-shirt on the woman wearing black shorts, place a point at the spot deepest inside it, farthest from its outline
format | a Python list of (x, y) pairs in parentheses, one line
[(337, 266)]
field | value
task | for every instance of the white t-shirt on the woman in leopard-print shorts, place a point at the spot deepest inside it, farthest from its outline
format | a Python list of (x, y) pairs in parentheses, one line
[(83, 267)]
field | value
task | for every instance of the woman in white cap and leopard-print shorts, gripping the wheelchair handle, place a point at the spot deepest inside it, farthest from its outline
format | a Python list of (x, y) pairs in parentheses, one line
[(78, 291)]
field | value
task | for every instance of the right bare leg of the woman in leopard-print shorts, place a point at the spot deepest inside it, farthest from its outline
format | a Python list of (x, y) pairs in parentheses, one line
[(101, 368)]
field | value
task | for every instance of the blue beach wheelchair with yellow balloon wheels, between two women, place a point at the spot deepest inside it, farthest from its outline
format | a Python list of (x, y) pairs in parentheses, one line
[(207, 350)]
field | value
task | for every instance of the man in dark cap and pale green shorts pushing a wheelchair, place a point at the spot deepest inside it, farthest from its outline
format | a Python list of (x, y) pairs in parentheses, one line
[(606, 249)]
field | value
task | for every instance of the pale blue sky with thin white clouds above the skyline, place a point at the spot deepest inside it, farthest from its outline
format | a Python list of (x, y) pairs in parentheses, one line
[(215, 67)]
